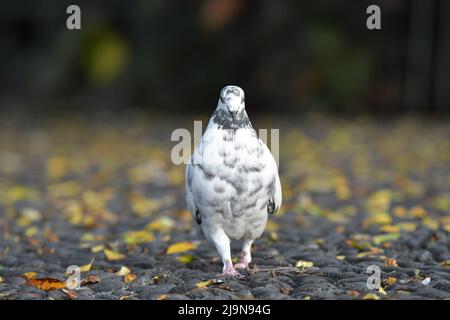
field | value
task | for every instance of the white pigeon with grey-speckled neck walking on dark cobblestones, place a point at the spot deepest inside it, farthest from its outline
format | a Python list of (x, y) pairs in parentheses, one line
[(232, 181)]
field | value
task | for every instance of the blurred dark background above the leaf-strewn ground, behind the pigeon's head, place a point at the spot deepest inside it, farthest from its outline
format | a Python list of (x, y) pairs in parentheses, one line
[(175, 56)]
